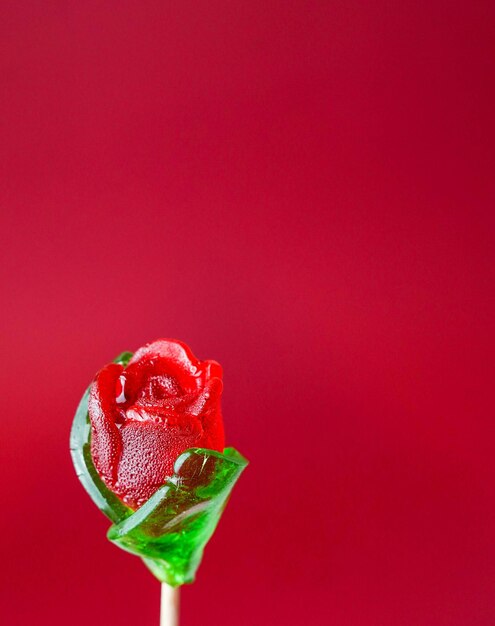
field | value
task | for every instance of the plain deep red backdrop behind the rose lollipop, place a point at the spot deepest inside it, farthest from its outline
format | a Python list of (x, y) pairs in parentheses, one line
[(304, 192)]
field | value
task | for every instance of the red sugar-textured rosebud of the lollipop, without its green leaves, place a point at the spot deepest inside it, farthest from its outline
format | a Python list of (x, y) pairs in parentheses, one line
[(145, 415)]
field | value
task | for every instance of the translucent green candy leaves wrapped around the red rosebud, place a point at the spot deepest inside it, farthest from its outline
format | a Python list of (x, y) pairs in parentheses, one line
[(169, 531)]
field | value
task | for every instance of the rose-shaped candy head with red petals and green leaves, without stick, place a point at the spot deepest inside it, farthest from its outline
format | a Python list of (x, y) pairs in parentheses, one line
[(147, 444)]
